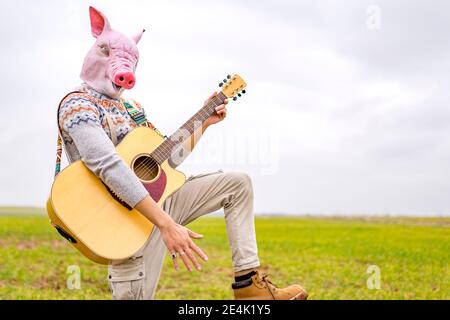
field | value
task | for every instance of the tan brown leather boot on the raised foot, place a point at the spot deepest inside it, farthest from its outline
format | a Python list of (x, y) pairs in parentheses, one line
[(259, 287)]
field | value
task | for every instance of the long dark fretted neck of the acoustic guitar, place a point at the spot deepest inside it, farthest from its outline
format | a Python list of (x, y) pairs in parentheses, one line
[(165, 149)]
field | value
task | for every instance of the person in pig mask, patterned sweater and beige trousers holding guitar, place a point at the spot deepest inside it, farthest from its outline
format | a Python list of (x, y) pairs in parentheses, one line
[(94, 119)]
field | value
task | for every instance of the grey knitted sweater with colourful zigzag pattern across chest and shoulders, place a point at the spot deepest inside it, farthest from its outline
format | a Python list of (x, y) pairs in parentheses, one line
[(87, 137)]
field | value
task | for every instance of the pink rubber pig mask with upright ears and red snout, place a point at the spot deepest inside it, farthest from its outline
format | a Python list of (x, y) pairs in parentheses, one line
[(110, 64)]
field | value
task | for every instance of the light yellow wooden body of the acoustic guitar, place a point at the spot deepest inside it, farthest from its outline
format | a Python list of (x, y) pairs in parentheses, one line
[(94, 220)]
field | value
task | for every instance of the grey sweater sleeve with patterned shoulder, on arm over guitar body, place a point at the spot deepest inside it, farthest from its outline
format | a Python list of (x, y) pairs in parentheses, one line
[(81, 122)]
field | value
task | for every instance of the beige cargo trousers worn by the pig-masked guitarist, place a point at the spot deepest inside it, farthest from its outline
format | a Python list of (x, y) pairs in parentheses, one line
[(137, 277)]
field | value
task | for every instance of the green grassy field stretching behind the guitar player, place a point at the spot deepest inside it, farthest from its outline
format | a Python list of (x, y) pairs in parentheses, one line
[(329, 256)]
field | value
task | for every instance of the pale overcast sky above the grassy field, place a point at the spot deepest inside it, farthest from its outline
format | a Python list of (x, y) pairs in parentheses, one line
[(346, 113)]
